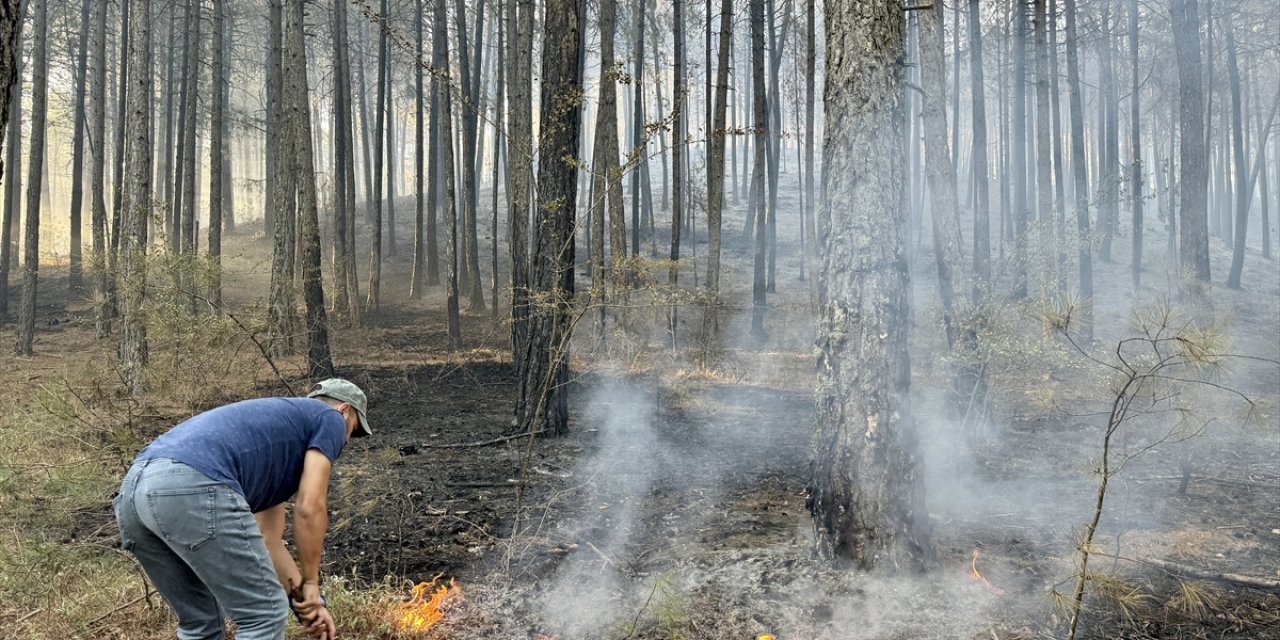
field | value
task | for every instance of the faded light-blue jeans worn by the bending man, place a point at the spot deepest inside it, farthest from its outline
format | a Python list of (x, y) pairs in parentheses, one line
[(199, 543)]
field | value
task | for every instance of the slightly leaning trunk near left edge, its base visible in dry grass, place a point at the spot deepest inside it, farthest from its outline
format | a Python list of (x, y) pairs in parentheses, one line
[(35, 175)]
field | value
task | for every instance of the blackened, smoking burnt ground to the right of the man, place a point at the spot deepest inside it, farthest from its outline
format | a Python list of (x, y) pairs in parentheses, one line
[(676, 505)]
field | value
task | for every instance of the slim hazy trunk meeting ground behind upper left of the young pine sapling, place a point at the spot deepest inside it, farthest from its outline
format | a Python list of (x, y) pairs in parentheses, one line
[(1078, 170)]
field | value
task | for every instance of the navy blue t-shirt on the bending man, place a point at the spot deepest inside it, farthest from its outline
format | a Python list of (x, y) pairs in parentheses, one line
[(255, 447)]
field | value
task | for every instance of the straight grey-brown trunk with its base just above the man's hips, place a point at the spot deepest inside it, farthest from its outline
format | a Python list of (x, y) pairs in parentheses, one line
[(138, 205)]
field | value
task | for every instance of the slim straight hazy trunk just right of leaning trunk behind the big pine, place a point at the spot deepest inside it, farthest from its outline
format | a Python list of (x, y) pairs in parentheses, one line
[(982, 200)]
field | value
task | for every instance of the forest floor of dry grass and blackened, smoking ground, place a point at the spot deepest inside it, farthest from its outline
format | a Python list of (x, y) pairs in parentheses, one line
[(676, 505)]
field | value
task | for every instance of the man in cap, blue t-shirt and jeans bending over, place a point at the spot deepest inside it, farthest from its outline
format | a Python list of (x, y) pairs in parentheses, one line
[(203, 510)]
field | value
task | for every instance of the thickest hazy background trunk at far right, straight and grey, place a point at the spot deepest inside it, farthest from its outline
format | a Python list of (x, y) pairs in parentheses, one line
[(1192, 179)]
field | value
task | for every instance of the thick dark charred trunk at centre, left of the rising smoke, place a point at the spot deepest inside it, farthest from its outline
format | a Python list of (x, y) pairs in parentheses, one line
[(543, 394)]
